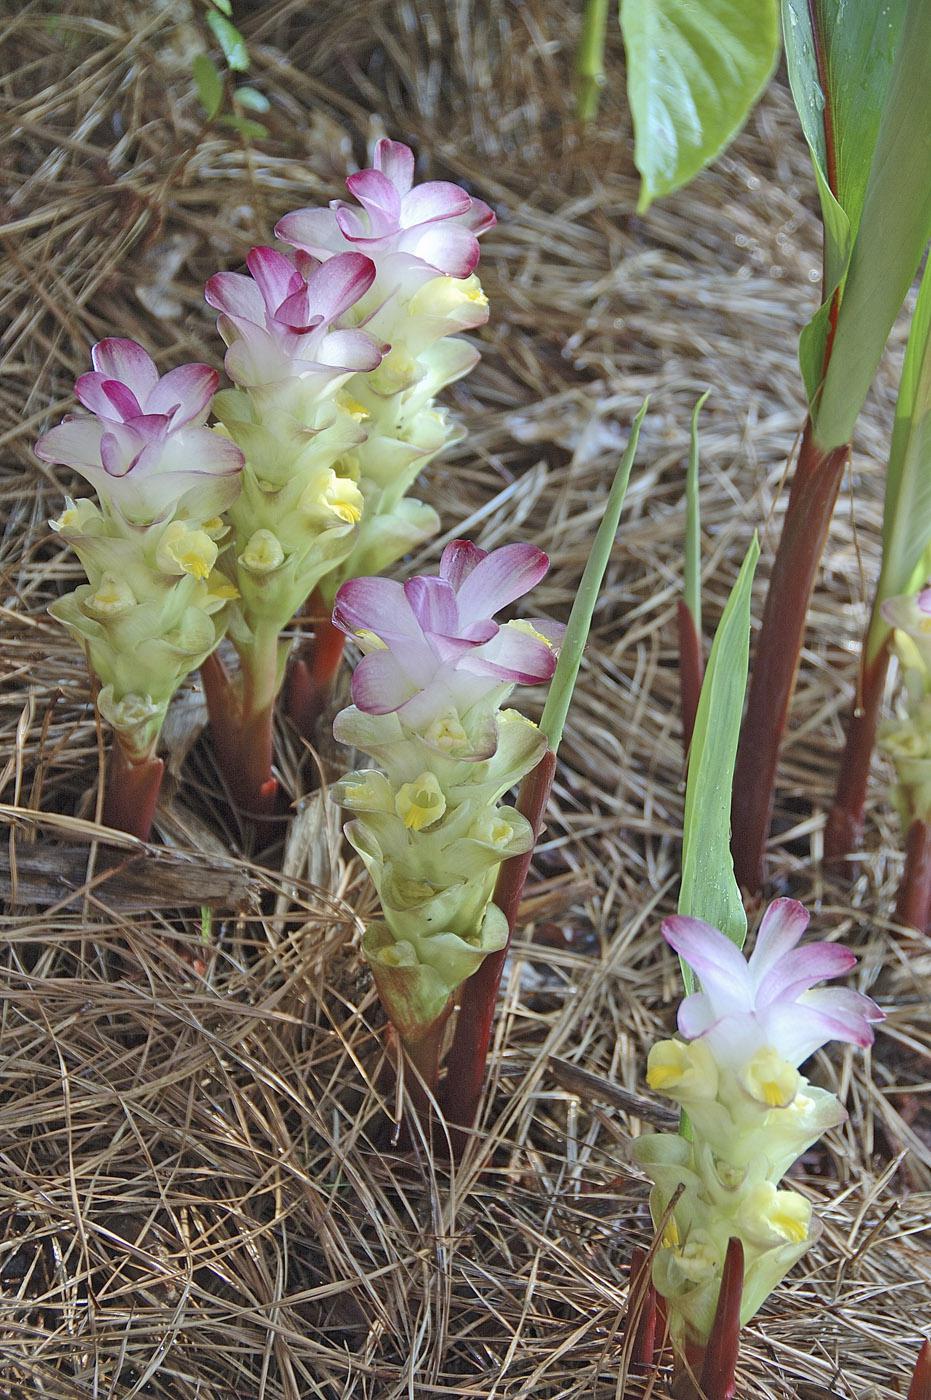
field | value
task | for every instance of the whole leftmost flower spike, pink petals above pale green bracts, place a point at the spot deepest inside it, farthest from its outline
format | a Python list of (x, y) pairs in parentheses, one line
[(155, 604)]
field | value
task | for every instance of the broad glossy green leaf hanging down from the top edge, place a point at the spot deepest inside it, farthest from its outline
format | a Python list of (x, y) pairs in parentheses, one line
[(695, 69)]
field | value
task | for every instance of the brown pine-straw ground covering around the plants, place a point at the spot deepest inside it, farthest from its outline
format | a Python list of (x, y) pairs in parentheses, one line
[(198, 1198)]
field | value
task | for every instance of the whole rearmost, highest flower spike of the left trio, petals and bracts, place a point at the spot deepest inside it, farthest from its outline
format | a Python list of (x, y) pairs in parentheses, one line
[(423, 248)]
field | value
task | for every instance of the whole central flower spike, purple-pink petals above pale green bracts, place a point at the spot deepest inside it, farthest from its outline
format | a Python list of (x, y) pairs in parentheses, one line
[(428, 708)]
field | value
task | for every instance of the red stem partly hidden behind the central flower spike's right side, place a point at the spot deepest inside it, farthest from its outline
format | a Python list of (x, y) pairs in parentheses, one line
[(472, 1037)]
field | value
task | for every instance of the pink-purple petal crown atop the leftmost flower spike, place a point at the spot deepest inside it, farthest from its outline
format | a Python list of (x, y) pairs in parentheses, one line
[(143, 444)]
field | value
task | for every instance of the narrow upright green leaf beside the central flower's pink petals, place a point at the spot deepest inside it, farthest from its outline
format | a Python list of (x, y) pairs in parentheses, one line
[(580, 618)]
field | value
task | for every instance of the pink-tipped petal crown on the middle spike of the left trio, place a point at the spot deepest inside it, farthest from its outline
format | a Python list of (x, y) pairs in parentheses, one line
[(283, 321)]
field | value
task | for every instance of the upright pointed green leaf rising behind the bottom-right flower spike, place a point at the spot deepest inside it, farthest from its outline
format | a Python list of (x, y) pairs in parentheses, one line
[(709, 890)]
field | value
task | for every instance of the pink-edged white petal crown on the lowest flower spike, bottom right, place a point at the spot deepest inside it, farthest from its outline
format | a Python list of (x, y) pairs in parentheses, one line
[(772, 1000)]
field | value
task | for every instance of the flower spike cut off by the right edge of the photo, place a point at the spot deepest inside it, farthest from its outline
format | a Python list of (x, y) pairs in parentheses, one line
[(908, 738)]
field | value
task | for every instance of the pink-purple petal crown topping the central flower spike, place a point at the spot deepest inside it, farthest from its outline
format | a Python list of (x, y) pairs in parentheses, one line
[(433, 646)]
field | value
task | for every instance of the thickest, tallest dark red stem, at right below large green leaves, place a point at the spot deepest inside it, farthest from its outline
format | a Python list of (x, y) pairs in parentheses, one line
[(811, 505)]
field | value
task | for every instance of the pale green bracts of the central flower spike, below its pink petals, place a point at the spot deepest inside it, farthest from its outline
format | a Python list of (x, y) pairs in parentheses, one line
[(433, 836)]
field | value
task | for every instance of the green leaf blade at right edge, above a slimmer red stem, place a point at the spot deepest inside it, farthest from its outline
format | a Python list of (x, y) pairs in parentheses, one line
[(906, 524)]
